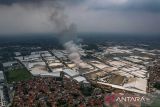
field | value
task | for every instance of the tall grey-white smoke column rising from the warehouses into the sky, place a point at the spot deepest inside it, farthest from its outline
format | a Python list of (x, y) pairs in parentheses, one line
[(67, 34)]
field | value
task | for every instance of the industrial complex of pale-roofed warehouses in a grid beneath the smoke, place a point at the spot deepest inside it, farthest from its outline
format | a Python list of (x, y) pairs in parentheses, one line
[(127, 73)]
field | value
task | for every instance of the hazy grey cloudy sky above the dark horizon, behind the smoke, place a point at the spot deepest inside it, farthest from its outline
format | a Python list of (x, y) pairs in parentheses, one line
[(119, 16)]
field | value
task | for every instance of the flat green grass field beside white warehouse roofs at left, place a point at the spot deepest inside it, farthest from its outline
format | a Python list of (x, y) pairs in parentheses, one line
[(18, 74)]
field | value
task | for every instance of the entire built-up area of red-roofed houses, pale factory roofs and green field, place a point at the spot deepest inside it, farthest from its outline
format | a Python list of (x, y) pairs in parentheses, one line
[(50, 79)]
